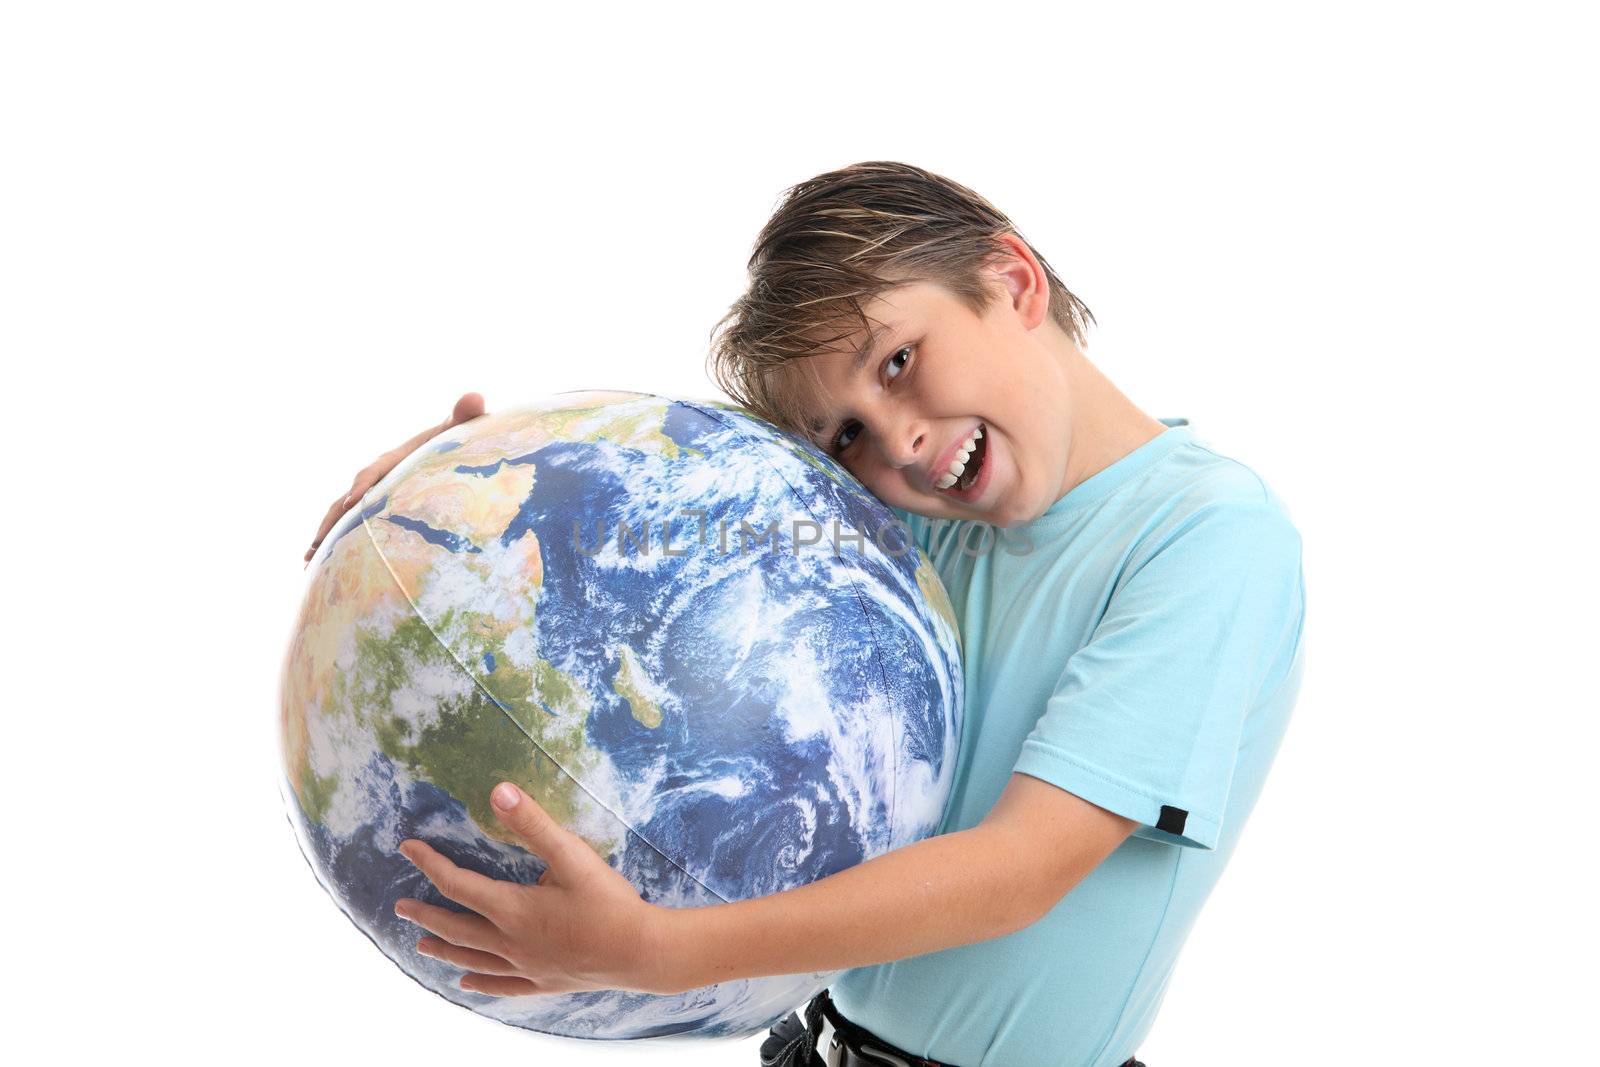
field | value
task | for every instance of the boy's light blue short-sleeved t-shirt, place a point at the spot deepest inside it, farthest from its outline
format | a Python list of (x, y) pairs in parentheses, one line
[(1137, 645)]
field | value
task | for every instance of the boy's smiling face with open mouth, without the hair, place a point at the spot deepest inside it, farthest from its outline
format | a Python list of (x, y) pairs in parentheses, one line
[(940, 380)]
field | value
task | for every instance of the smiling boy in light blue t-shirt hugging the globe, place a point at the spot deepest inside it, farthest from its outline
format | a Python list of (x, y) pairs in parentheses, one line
[(1130, 607)]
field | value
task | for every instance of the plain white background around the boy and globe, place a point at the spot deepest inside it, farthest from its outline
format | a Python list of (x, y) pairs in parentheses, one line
[(249, 247)]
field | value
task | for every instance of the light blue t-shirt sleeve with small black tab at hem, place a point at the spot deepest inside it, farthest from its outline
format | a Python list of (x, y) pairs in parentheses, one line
[(1146, 717)]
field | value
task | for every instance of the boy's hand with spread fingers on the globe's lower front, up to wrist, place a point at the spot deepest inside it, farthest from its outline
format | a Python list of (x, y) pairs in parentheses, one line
[(582, 927)]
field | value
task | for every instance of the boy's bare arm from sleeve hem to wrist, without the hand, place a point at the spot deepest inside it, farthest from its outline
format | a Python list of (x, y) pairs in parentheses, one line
[(951, 890)]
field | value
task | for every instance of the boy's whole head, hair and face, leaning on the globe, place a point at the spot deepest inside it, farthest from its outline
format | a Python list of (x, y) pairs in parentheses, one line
[(966, 338)]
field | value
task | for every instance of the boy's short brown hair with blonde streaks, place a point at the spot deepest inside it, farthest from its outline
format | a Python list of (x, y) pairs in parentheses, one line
[(834, 244)]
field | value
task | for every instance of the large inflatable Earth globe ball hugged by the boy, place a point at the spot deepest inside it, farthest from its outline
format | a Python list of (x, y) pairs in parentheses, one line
[(695, 641)]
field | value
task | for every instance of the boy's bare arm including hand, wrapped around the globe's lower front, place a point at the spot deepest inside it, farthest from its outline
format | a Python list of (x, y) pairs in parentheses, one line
[(585, 927)]
